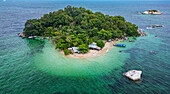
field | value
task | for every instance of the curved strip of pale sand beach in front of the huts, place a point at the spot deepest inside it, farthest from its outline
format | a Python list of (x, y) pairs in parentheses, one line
[(93, 53)]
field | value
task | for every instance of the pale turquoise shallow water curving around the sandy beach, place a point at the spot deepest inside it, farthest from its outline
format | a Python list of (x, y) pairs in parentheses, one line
[(53, 62)]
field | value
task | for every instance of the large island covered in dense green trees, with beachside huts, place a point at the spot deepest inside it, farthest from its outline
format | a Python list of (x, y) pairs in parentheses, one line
[(77, 30)]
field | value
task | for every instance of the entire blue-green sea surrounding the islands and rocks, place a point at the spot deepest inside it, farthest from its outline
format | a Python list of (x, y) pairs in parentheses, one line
[(35, 67)]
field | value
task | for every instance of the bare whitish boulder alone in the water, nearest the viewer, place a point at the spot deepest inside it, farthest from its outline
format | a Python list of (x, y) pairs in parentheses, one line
[(133, 75)]
